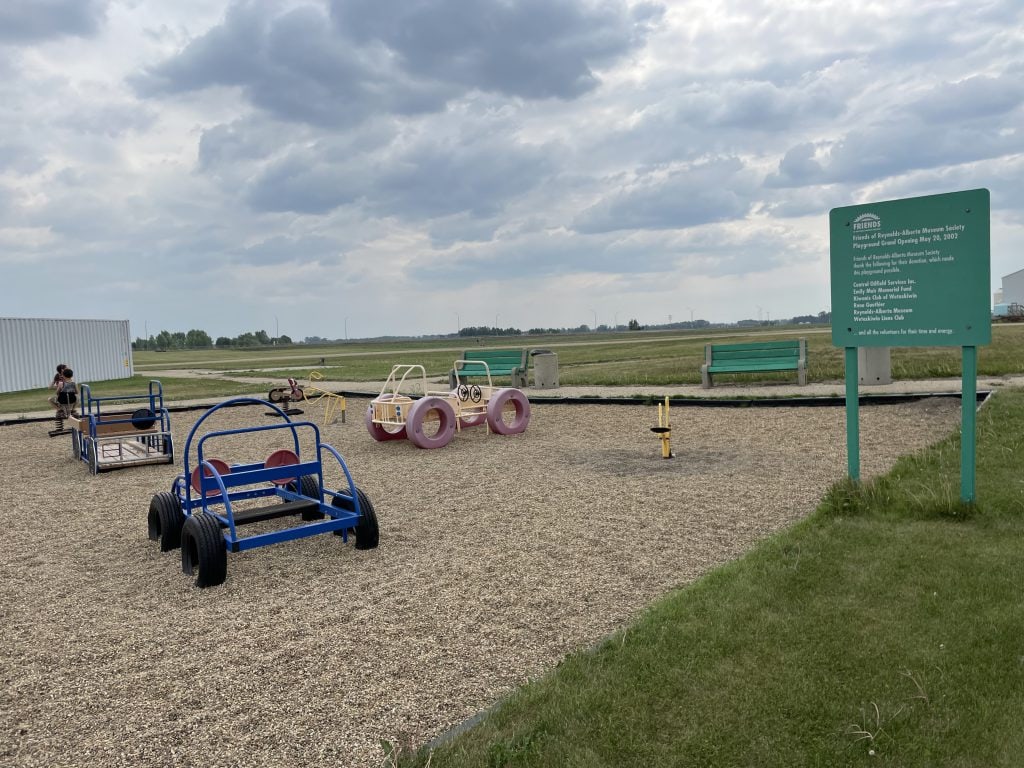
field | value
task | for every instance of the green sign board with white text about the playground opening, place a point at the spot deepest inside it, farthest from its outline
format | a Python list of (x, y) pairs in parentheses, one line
[(912, 273)]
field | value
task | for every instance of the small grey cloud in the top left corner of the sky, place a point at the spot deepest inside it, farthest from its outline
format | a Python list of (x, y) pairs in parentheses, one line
[(26, 22)]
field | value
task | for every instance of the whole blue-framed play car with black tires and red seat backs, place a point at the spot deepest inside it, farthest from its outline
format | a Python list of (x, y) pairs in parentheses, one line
[(200, 516)]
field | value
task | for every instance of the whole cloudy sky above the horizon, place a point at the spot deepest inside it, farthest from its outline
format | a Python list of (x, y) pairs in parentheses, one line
[(313, 167)]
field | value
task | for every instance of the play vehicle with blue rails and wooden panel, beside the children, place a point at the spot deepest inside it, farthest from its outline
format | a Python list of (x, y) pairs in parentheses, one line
[(111, 440)]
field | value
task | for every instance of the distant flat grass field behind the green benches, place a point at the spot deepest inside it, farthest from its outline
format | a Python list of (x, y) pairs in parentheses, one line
[(628, 360)]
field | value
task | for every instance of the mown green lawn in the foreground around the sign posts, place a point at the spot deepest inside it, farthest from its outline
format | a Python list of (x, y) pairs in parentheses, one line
[(882, 631)]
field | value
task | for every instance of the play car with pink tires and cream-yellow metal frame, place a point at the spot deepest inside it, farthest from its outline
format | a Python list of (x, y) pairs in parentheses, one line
[(433, 420)]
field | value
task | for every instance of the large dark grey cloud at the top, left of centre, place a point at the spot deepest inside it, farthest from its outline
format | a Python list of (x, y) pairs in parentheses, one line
[(401, 58)]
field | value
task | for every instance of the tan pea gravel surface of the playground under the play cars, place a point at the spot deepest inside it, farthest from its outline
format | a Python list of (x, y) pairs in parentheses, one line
[(498, 557)]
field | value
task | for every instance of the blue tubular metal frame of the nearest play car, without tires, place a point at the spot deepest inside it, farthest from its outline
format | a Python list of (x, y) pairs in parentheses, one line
[(245, 477)]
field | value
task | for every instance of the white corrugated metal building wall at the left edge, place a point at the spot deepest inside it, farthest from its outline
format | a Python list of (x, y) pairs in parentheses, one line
[(31, 350)]
